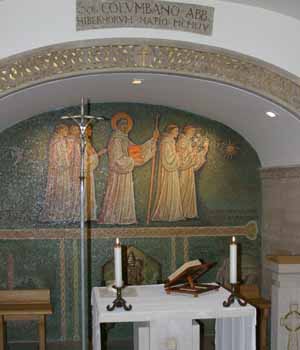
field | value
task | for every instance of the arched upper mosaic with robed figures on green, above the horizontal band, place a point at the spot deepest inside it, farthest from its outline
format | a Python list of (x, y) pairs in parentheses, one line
[(182, 170)]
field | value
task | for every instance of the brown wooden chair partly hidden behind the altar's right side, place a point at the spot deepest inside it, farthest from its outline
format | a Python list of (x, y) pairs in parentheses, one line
[(250, 292)]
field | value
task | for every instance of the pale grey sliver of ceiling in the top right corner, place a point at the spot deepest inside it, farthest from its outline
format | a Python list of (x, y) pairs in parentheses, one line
[(290, 8)]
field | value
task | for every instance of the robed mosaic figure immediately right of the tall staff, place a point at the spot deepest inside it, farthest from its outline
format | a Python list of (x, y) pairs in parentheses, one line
[(168, 204)]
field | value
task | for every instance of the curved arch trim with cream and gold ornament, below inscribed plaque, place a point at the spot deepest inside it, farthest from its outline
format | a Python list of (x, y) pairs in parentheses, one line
[(158, 56)]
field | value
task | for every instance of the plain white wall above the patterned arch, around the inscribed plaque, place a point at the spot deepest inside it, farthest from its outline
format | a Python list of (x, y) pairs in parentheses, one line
[(267, 35)]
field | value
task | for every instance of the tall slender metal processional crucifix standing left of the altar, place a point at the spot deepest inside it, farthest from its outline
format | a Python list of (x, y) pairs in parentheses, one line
[(83, 121)]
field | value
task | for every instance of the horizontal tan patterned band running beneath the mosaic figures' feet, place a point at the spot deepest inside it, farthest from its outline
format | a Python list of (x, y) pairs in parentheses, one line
[(249, 230)]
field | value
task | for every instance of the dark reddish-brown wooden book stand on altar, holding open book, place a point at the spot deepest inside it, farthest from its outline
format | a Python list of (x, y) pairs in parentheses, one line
[(186, 281)]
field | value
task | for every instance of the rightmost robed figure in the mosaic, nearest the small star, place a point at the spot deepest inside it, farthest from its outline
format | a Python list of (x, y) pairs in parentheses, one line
[(191, 159)]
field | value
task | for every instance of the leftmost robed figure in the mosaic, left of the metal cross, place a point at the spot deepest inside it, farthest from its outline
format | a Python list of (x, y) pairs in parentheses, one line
[(58, 197)]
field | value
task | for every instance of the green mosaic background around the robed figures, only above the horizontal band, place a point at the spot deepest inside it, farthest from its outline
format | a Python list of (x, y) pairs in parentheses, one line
[(226, 187)]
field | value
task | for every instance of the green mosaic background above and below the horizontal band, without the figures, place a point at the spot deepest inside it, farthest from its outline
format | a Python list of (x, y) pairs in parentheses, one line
[(228, 195)]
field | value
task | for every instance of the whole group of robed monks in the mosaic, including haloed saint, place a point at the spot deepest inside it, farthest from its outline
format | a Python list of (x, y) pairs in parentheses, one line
[(179, 157)]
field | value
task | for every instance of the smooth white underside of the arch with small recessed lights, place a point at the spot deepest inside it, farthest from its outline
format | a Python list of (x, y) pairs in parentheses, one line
[(276, 140)]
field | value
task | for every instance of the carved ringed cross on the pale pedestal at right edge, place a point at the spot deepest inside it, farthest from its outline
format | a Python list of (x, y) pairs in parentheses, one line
[(291, 322)]
